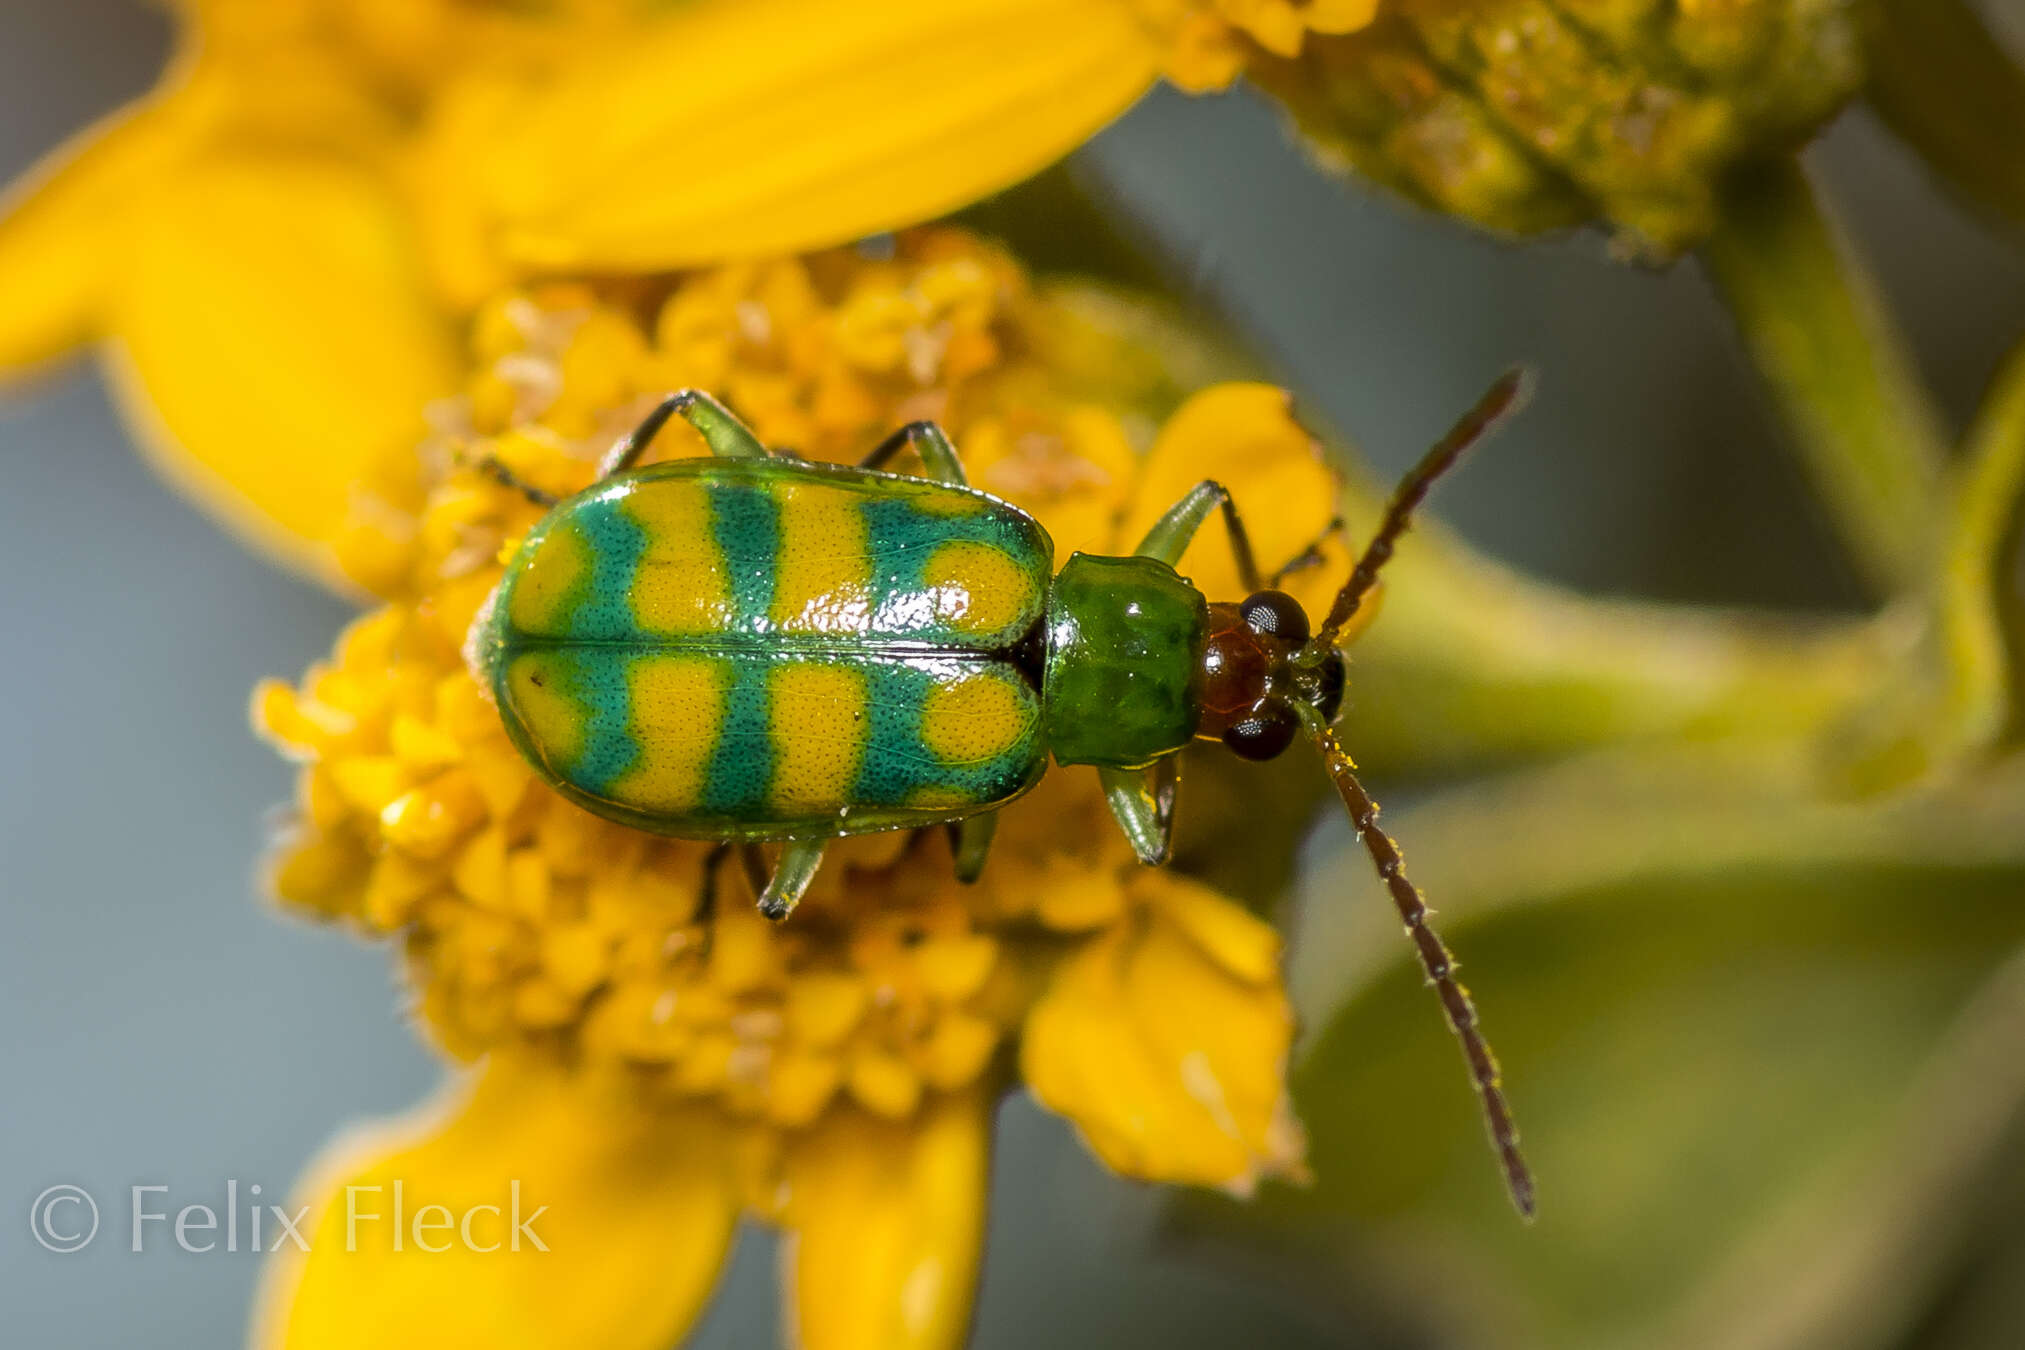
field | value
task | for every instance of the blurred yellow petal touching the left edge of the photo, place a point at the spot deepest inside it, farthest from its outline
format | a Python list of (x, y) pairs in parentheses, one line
[(58, 236)]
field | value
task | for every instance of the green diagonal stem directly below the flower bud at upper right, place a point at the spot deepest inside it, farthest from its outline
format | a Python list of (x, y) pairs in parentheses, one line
[(1842, 379)]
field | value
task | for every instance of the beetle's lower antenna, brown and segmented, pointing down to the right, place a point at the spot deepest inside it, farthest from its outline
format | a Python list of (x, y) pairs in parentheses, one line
[(1435, 960)]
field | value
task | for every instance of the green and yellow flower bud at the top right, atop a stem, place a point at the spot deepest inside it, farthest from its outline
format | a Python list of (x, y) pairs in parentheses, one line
[(1540, 114)]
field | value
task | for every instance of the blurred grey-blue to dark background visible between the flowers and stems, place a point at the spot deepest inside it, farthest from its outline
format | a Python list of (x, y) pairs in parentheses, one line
[(165, 1029)]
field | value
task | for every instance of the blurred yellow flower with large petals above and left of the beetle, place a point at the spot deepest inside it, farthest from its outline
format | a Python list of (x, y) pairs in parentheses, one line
[(276, 246)]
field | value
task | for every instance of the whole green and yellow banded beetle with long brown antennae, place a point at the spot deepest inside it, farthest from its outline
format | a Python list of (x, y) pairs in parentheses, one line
[(758, 649)]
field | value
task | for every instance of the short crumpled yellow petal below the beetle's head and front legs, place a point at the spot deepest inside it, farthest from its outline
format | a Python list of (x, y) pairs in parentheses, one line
[(1171, 1064)]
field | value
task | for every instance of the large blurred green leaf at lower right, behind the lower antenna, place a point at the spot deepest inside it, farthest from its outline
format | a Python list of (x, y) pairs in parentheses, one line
[(1722, 1003)]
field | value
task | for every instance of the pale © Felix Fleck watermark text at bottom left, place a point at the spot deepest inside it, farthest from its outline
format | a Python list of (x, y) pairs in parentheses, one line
[(68, 1219)]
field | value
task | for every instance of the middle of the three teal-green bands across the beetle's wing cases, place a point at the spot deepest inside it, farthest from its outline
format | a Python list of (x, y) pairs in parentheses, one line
[(746, 527)]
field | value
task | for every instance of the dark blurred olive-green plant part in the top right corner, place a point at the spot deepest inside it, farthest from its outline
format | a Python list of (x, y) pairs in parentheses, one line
[(1951, 92)]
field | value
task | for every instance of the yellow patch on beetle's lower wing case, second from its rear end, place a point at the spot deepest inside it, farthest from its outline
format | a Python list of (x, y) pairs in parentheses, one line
[(677, 705)]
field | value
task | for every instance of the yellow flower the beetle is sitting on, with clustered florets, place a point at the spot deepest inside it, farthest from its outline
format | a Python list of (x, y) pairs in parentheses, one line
[(649, 1076)]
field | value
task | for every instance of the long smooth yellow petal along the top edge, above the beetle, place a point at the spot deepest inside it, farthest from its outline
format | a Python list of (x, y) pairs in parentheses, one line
[(738, 129)]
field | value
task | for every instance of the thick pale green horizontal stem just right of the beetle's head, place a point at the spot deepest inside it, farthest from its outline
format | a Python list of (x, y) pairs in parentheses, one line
[(1473, 663)]
